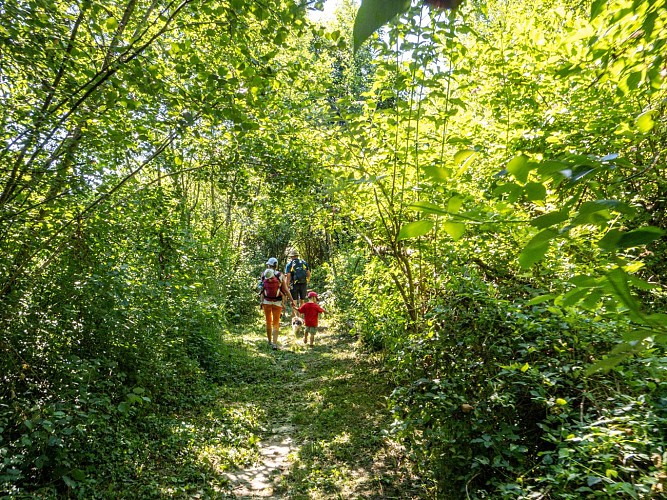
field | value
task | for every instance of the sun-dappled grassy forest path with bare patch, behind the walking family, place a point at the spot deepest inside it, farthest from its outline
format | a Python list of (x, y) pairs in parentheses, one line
[(323, 410)]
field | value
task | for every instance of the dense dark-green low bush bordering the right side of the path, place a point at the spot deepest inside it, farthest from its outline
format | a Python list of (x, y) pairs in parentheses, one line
[(492, 400)]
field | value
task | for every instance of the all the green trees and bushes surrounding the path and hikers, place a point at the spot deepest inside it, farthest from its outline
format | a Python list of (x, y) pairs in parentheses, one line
[(481, 193)]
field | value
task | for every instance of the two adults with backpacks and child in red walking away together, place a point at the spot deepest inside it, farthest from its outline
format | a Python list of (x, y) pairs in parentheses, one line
[(276, 289)]
